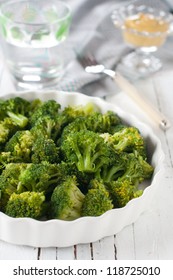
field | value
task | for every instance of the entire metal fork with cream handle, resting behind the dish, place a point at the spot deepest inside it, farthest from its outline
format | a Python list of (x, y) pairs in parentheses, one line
[(91, 65)]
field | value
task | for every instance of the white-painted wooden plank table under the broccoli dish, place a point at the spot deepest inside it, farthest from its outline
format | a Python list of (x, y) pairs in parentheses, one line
[(151, 236)]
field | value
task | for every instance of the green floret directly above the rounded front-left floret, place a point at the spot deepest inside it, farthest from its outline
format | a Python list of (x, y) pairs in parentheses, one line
[(40, 177)]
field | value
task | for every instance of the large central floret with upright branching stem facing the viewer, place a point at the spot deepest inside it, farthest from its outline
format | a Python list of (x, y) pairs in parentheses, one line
[(86, 149)]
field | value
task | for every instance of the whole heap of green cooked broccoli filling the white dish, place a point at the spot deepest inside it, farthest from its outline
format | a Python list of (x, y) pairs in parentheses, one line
[(67, 163)]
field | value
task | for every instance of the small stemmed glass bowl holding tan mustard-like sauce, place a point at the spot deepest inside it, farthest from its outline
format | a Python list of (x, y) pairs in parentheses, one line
[(145, 29)]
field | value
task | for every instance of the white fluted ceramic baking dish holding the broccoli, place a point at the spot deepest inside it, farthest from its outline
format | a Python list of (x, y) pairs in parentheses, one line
[(27, 231)]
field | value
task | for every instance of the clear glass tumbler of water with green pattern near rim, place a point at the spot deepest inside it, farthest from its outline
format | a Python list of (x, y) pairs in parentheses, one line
[(31, 34)]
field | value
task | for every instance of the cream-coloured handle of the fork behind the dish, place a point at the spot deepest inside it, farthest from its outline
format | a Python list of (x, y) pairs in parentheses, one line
[(131, 90)]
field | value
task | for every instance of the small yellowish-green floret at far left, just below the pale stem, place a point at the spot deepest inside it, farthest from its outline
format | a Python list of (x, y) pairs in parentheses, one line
[(20, 145)]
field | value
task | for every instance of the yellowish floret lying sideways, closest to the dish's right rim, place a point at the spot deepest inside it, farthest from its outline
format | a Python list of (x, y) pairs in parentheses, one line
[(127, 139)]
